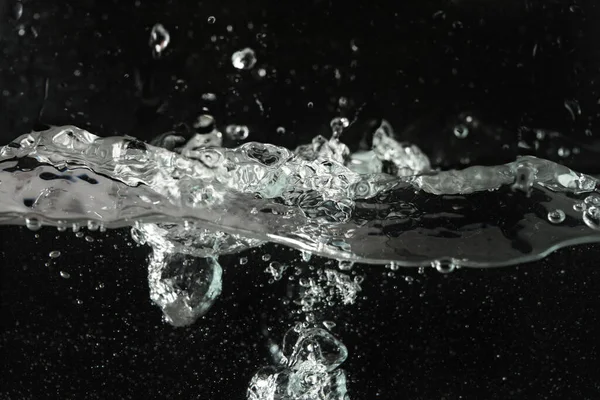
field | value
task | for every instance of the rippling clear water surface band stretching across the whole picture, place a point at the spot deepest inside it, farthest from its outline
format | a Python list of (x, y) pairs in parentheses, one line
[(321, 199)]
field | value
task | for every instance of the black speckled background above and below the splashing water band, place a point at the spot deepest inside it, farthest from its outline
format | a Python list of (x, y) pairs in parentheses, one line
[(527, 332)]
